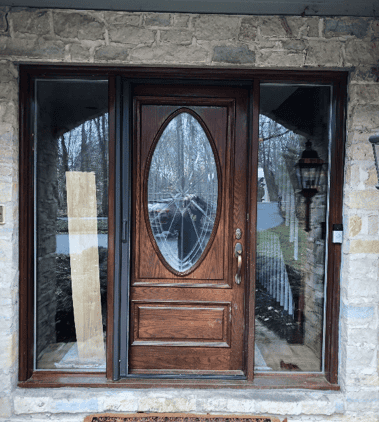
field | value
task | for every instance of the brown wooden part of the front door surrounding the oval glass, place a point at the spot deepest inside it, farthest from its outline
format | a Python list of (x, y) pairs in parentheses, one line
[(190, 321)]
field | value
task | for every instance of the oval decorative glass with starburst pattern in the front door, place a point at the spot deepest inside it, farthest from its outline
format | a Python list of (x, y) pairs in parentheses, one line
[(182, 192)]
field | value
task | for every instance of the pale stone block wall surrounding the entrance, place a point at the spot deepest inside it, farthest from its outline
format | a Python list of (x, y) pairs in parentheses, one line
[(68, 36)]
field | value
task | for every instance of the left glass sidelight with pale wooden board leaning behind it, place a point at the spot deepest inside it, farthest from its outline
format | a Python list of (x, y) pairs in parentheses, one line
[(71, 216)]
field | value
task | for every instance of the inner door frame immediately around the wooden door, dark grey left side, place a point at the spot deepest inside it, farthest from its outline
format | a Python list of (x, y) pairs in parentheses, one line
[(123, 234)]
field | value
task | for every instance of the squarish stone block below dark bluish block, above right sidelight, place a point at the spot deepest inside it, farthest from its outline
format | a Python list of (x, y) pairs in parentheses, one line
[(324, 53)]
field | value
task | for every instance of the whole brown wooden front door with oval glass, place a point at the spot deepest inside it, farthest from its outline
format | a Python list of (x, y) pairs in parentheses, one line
[(189, 199)]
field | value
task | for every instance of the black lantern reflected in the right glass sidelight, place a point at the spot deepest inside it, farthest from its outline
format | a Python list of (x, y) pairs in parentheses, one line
[(308, 170)]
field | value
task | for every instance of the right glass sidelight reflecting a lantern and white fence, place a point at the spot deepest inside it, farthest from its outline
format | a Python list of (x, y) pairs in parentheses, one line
[(291, 226)]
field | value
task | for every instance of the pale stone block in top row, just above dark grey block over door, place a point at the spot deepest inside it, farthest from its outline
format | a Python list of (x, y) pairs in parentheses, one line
[(212, 27)]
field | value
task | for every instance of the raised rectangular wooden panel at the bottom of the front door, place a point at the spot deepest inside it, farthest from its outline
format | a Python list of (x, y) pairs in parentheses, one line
[(181, 325)]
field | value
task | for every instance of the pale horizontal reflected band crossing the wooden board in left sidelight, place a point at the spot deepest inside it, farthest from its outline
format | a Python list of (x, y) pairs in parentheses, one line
[(80, 242)]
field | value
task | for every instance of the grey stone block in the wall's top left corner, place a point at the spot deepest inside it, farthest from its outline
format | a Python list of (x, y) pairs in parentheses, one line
[(31, 22)]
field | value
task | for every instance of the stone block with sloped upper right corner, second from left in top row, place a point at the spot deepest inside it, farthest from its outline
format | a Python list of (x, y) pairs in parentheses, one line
[(77, 25)]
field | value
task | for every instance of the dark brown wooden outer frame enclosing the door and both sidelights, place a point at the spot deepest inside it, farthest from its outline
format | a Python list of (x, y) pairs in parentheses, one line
[(338, 80)]
